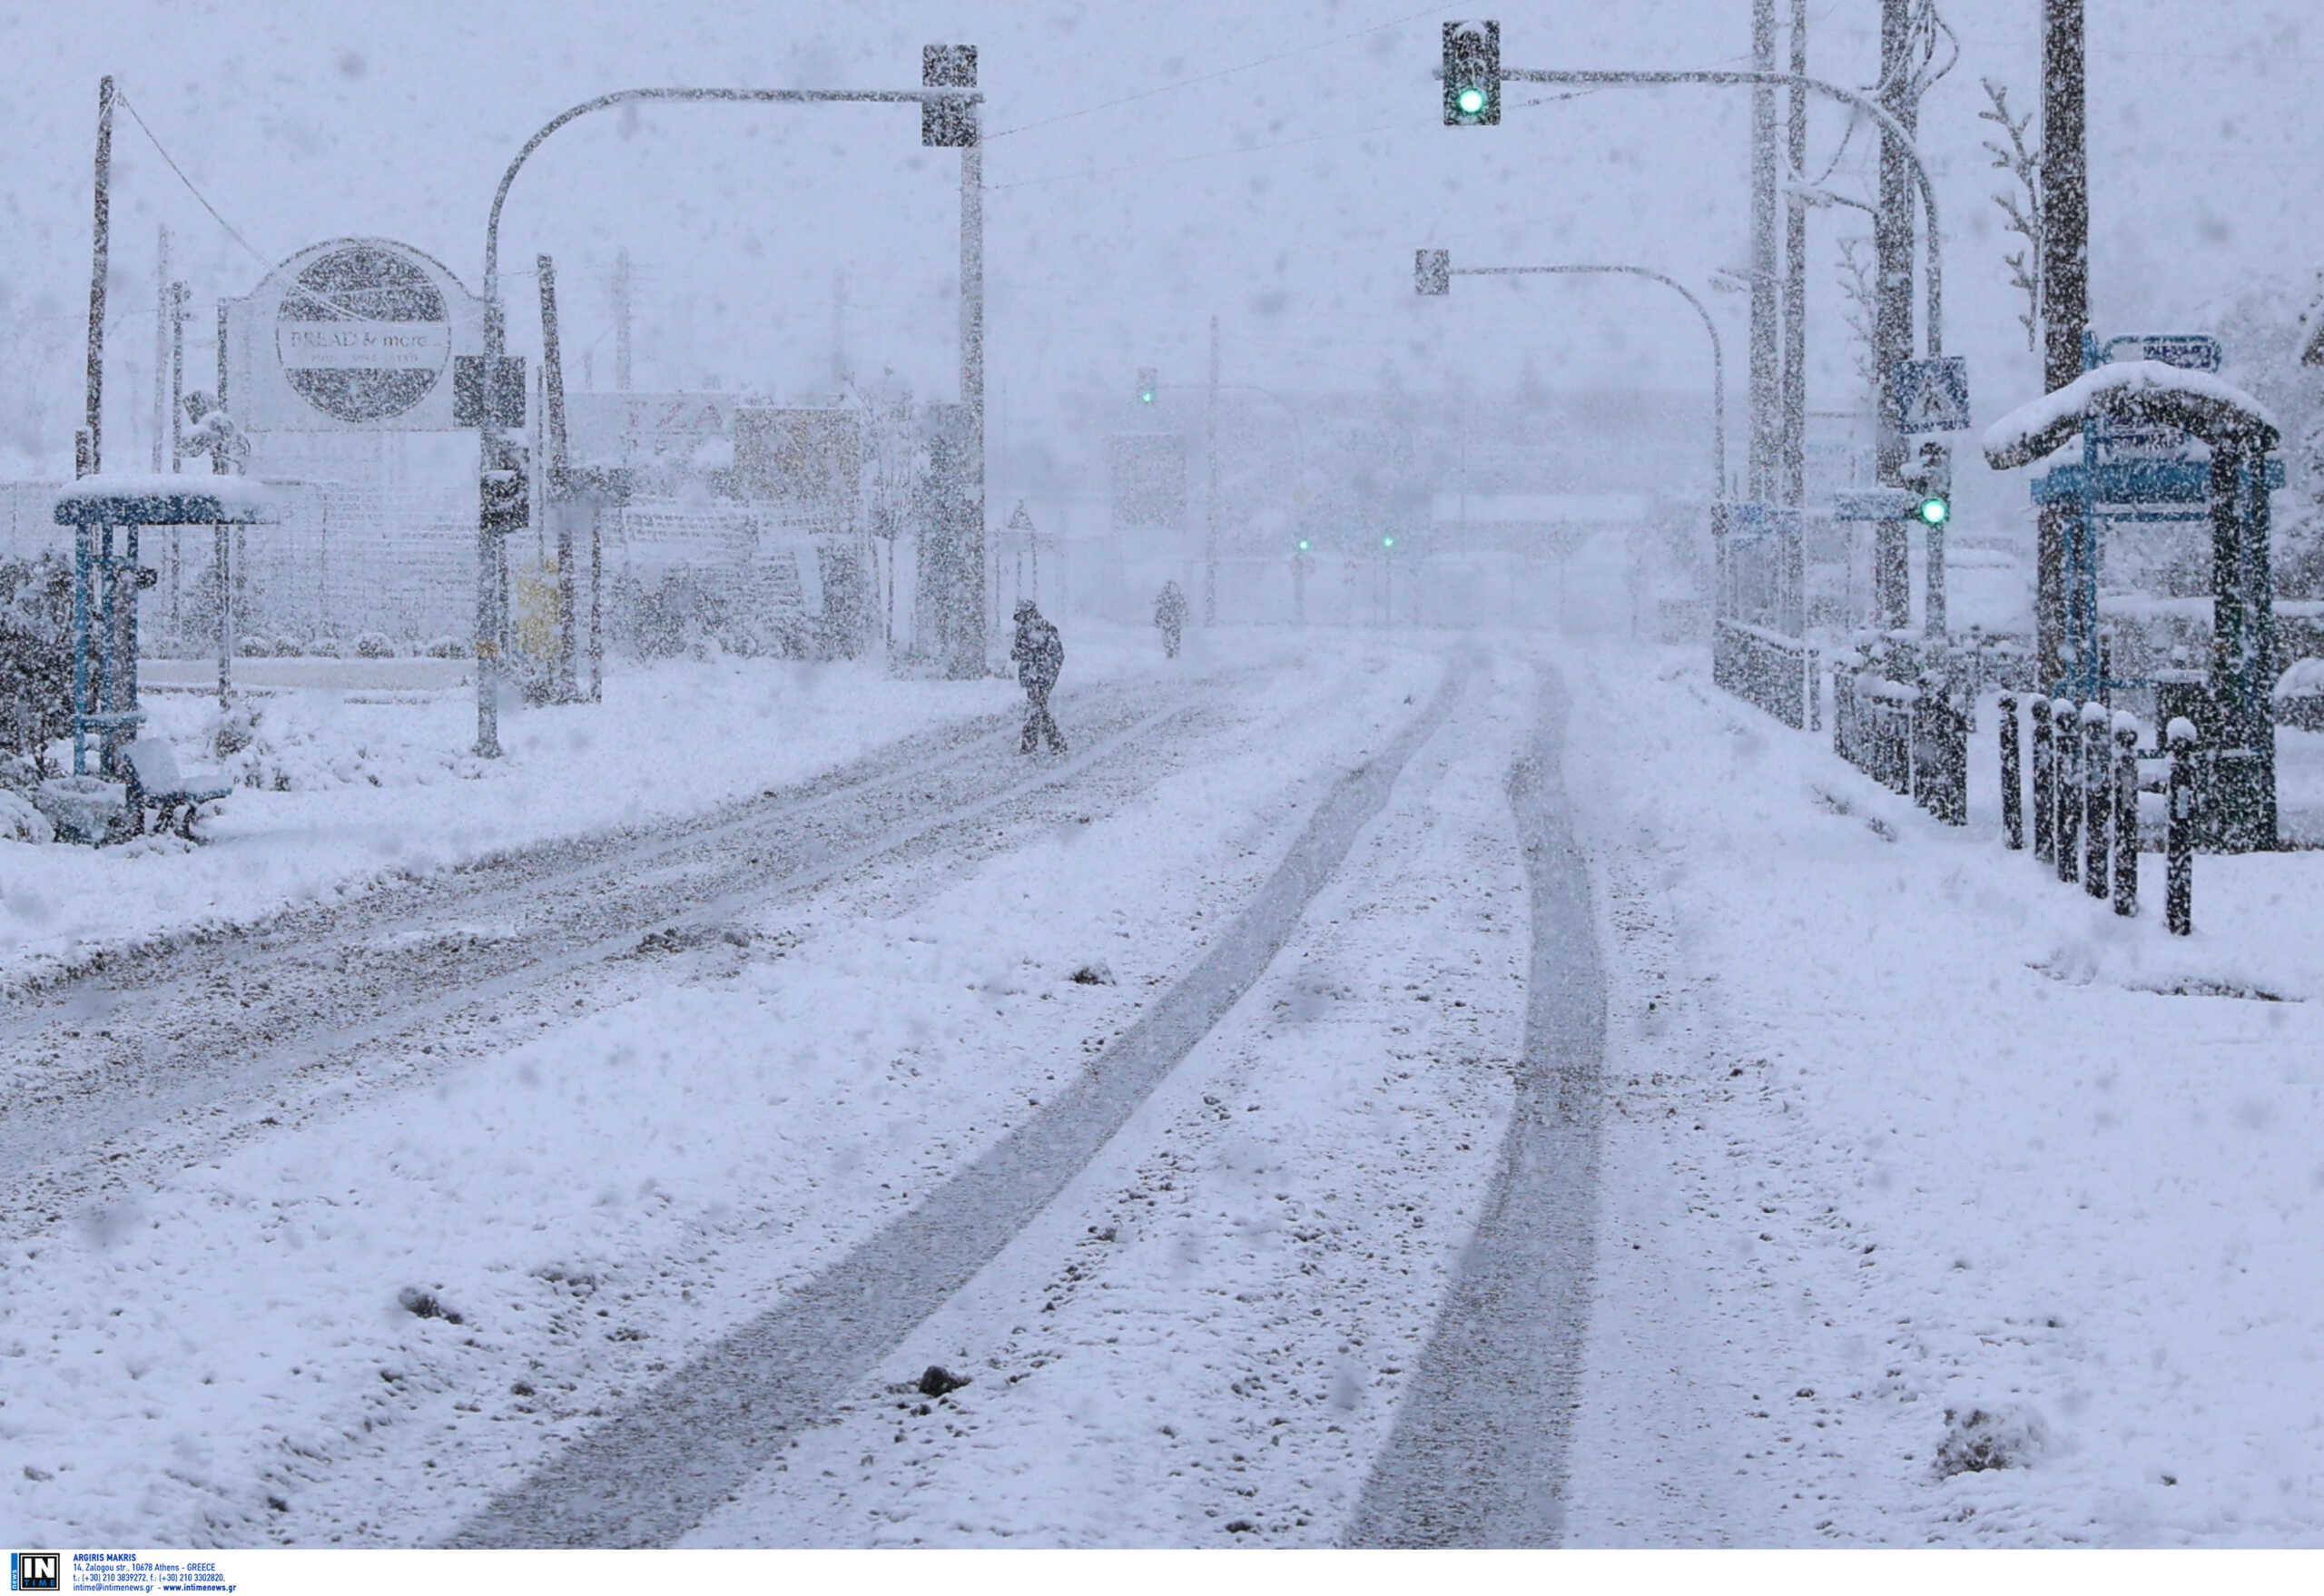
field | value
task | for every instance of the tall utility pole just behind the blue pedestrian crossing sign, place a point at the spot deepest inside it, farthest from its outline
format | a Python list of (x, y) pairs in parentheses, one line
[(1893, 317)]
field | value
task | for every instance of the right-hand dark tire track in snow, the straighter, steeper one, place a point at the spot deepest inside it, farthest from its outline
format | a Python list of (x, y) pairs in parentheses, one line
[(1479, 1453)]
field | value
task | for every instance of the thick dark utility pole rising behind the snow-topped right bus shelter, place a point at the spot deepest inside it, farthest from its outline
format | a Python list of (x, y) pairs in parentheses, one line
[(2065, 292)]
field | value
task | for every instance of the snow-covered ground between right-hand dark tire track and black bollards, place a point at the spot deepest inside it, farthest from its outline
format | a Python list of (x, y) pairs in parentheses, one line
[(1942, 1205)]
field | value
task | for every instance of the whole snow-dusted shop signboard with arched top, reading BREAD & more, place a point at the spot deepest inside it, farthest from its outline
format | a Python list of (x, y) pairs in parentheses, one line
[(350, 336)]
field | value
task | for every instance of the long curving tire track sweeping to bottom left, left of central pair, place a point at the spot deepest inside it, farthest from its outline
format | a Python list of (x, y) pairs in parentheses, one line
[(687, 1446)]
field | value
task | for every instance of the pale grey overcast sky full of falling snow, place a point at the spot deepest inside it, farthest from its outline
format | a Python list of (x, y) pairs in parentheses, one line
[(1286, 196)]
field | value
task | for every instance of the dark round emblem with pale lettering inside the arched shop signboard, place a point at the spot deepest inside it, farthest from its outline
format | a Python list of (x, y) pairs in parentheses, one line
[(364, 333)]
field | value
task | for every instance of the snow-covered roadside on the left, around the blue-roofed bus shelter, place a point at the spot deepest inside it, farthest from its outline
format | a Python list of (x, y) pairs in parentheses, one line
[(338, 791)]
